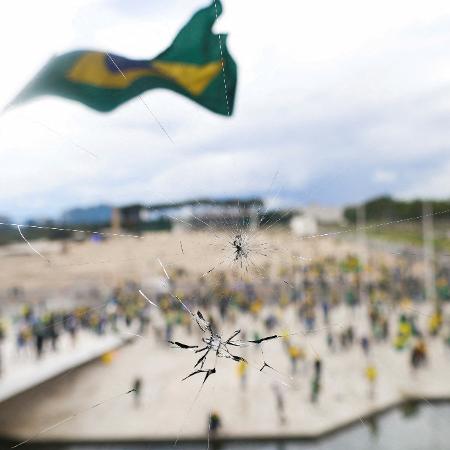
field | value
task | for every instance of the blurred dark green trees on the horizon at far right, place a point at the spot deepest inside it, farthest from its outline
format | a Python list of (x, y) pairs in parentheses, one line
[(386, 208)]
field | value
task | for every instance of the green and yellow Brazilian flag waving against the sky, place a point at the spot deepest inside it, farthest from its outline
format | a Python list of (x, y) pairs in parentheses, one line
[(196, 65)]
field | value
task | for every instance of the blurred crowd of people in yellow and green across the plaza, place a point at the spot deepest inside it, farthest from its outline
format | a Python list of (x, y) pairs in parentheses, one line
[(390, 294)]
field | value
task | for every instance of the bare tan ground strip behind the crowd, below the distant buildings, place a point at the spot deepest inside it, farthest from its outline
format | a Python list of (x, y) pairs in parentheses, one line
[(78, 267)]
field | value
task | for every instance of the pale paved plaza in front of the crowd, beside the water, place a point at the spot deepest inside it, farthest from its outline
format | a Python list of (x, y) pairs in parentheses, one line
[(169, 408)]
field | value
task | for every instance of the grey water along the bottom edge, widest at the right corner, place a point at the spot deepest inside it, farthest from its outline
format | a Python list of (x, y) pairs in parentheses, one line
[(411, 427)]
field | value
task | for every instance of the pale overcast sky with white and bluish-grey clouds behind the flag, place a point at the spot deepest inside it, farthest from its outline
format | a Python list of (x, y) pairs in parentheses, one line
[(343, 99)]
